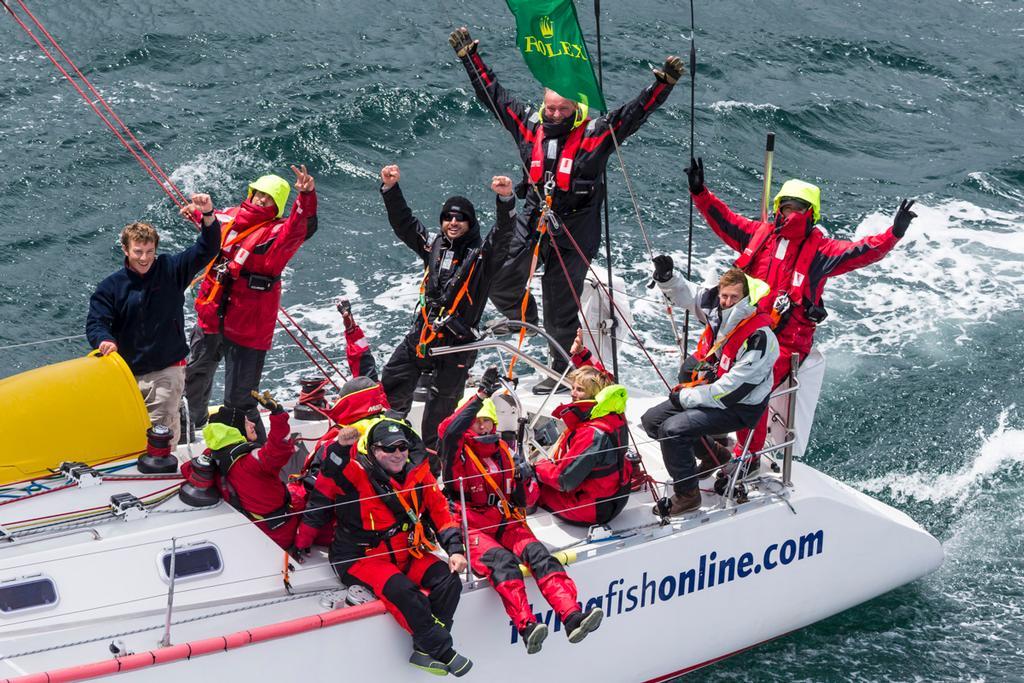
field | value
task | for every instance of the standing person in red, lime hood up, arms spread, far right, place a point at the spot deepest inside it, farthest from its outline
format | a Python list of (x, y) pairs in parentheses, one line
[(794, 255)]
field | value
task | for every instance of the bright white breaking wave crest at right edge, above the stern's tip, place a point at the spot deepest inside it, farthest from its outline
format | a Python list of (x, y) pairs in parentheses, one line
[(1000, 451)]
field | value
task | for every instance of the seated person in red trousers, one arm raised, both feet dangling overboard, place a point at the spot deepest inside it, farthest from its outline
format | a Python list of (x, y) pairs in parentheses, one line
[(498, 491)]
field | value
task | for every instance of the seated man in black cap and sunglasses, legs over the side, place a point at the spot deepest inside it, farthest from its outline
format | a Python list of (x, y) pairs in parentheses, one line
[(387, 503)]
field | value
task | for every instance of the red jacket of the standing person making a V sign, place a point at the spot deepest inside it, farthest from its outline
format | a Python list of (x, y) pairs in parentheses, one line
[(251, 311)]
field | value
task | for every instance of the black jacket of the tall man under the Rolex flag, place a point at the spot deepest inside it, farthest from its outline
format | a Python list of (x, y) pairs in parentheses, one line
[(580, 207)]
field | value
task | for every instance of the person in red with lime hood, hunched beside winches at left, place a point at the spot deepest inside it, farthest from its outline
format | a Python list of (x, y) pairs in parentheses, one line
[(248, 476)]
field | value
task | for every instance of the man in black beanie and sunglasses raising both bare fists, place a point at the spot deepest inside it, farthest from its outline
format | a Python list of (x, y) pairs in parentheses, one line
[(459, 267)]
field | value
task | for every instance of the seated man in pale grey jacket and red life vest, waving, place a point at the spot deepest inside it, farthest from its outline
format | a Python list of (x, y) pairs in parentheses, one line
[(730, 376)]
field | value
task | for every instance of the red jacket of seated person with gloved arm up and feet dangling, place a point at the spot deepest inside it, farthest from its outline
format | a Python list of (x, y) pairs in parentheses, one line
[(487, 508)]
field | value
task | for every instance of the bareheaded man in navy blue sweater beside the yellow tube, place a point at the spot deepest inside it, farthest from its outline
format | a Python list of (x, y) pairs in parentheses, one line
[(139, 311)]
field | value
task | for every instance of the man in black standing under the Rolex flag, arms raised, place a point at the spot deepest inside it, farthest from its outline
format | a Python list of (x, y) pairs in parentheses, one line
[(561, 144)]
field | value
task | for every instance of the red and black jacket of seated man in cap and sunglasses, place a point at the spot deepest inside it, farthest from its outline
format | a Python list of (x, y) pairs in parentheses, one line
[(373, 510)]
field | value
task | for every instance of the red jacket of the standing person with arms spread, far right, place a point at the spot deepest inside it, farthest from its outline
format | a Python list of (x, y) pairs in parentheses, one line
[(776, 262)]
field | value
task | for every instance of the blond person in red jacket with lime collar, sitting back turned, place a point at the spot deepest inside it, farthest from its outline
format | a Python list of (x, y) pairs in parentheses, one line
[(587, 480)]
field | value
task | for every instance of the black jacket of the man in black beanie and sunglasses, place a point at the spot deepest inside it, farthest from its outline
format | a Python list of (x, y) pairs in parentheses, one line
[(449, 264)]
